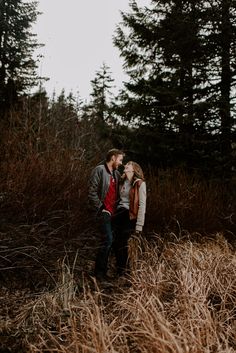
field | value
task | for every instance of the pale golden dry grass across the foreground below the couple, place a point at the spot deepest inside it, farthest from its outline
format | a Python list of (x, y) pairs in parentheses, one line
[(179, 300)]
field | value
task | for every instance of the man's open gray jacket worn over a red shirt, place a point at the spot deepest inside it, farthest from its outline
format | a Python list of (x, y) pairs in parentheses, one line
[(99, 184)]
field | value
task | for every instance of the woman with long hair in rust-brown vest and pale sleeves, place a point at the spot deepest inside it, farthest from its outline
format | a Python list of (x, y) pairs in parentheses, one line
[(130, 213)]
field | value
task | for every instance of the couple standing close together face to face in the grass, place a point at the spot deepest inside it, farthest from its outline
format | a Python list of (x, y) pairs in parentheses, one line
[(118, 204)]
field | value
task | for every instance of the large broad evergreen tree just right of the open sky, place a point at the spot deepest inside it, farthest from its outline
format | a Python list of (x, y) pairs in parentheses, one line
[(161, 50)]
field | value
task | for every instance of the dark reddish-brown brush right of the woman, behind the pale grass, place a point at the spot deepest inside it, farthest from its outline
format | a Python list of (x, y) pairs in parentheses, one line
[(179, 201)]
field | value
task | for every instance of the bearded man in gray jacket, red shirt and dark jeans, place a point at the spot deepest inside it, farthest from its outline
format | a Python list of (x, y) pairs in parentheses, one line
[(103, 196)]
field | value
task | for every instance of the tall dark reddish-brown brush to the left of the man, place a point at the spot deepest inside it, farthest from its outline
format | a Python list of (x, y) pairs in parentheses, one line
[(43, 194)]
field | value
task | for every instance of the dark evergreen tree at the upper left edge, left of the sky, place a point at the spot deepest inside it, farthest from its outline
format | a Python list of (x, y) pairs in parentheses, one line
[(17, 44)]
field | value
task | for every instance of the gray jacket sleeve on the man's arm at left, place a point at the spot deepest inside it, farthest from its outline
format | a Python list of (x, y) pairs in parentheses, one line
[(93, 189)]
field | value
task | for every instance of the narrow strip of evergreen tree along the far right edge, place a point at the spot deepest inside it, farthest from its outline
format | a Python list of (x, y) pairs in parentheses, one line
[(221, 37)]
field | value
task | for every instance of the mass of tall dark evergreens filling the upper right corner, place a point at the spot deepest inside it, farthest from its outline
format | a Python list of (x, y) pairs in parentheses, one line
[(179, 57)]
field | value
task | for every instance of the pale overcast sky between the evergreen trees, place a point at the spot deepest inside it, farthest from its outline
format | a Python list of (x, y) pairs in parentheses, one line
[(78, 38)]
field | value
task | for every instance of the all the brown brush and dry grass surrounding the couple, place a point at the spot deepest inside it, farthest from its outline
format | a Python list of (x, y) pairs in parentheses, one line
[(181, 291)]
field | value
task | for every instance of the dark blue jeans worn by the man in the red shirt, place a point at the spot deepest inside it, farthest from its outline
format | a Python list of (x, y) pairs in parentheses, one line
[(105, 243)]
